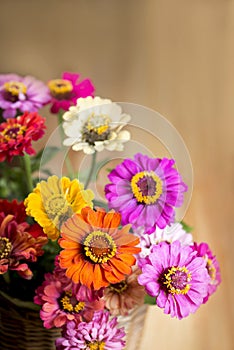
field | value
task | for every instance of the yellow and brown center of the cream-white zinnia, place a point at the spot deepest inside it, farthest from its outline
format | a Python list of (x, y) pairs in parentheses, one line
[(97, 128)]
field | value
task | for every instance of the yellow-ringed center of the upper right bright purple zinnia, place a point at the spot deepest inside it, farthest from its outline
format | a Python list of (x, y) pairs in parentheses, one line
[(146, 187)]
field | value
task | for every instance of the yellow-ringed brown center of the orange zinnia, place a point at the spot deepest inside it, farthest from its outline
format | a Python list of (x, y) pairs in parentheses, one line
[(99, 247)]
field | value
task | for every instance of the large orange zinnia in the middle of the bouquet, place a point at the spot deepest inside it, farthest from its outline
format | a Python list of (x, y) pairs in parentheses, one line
[(95, 251)]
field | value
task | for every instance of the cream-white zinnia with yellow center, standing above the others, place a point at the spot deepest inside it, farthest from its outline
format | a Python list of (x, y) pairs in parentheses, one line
[(95, 124)]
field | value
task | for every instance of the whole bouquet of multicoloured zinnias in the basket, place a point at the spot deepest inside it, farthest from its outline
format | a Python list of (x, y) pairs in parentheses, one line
[(85, 263)]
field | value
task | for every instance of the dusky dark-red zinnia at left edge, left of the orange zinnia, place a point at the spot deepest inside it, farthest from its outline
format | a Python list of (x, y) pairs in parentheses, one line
[(18, 246)]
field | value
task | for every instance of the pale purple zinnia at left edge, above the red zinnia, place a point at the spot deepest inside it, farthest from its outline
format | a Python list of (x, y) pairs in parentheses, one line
[(20, 94)]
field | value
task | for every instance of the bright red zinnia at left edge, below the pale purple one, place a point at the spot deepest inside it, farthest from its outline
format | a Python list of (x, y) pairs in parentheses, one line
[(17, 134)]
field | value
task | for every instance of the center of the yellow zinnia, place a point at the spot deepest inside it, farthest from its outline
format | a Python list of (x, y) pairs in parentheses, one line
[(57, 209)]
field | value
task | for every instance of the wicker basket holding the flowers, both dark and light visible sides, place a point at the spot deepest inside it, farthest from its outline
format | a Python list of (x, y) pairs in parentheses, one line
[(21, 327)]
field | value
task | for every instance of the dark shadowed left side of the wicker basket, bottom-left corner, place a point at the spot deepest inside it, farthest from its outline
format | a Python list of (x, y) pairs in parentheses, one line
[(21, 327)]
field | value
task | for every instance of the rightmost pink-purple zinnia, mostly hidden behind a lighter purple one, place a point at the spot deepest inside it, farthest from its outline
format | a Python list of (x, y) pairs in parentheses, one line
[(212, 265)]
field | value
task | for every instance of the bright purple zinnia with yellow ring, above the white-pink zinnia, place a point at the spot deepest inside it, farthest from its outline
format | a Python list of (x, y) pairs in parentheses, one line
[(145, 191)]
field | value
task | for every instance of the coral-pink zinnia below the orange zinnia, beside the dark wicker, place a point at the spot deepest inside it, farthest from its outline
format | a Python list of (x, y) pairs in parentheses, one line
[(59, 303)]
